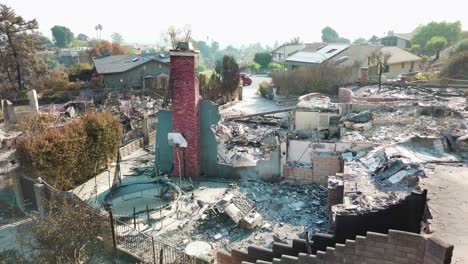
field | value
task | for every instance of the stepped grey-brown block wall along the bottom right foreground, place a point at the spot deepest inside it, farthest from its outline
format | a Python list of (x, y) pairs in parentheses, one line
[(397, 247)]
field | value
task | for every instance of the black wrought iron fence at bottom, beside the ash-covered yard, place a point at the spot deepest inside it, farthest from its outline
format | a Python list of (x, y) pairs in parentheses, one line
[(150, 249)]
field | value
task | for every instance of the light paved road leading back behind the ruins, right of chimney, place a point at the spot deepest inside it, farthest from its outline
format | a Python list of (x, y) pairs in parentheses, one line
[(252, 102)]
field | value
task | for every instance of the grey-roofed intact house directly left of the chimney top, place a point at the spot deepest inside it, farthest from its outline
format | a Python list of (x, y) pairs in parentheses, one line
[(133, 71)]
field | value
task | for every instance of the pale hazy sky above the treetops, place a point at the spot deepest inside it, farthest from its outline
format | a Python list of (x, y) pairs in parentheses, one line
[(240, 21)]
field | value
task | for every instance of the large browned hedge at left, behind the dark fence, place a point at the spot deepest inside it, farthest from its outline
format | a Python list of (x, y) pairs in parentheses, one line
[(70, 155)]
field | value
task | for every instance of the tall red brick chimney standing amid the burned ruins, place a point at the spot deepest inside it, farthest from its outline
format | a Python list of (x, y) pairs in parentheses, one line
[(185, 108)]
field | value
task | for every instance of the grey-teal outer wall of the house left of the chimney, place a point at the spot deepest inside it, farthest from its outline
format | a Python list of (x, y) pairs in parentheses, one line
[(133, 77)]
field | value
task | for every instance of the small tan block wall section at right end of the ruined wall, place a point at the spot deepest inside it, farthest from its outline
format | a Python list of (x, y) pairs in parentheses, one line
[(325, 165)]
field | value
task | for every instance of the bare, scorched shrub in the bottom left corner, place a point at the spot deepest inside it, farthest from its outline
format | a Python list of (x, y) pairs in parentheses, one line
[(69, 234)]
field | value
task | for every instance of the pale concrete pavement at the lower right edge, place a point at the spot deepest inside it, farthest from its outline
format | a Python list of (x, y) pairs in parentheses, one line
[(448, 201)]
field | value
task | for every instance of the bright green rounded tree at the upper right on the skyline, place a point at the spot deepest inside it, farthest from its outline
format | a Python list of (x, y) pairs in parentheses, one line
[(452, 32)]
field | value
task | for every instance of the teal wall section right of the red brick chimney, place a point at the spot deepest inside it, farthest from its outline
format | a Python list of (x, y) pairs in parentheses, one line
[(209, 115)]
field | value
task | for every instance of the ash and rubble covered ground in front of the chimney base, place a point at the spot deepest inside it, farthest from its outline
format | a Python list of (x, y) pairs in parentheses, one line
[(286, 210)]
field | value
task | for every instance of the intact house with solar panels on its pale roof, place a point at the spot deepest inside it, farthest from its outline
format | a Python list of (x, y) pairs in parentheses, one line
[(347, 55)]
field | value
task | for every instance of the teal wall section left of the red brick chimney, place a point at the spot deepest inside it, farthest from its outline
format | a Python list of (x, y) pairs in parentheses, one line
[(163, 156)]
